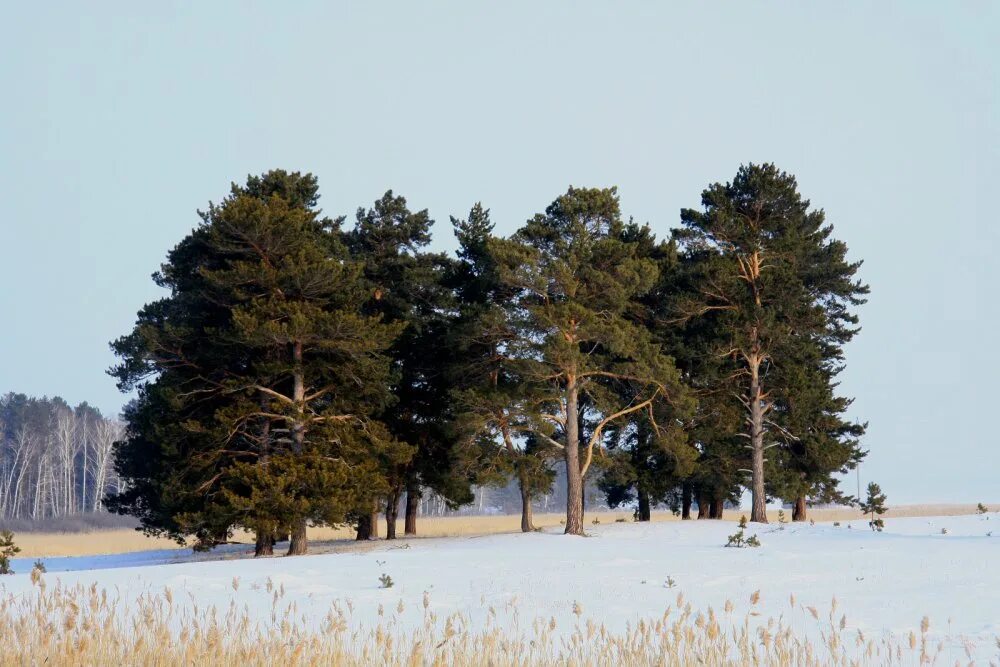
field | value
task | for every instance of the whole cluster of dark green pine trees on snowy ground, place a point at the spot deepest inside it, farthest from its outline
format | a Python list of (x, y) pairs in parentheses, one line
[(306, 371)]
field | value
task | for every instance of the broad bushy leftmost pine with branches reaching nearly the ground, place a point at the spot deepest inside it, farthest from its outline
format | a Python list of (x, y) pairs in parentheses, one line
[(256, 376)]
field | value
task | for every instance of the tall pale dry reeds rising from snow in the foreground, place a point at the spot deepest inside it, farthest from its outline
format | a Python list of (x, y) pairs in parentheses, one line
[(75, 625)]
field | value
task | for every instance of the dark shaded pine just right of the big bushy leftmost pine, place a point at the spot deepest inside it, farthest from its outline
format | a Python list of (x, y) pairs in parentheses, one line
[(408, 287)]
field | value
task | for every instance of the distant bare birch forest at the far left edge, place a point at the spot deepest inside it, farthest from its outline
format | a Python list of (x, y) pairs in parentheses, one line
[(55, 460)]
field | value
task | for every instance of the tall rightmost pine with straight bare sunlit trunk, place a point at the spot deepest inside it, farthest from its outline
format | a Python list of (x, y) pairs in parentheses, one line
[(768, 274)]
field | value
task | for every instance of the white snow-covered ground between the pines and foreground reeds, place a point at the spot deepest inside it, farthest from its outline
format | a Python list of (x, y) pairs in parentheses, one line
[(884, 582)]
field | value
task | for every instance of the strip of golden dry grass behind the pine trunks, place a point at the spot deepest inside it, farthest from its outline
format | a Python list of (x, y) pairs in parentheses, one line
[(51, 545)]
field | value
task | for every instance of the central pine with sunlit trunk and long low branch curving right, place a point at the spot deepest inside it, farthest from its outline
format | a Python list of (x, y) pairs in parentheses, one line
[(576, 281)]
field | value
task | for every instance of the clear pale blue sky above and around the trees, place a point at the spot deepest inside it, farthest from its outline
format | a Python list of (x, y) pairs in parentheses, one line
[(119, 119)]
